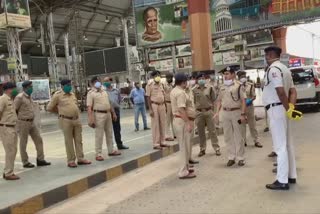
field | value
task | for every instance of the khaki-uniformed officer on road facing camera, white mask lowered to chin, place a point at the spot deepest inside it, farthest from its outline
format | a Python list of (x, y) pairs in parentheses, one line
[(231, 100)]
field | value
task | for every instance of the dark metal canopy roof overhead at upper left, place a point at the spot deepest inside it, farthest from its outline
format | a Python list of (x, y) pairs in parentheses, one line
[(100, 23)]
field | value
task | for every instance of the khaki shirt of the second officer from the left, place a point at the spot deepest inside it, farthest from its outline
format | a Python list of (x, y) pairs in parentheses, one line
[(24, 106)]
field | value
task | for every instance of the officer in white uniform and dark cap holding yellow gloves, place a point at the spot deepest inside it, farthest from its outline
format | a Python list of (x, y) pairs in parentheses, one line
[(279, 97)]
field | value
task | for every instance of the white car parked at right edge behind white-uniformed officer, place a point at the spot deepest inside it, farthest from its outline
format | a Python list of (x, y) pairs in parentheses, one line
[(307, 83)]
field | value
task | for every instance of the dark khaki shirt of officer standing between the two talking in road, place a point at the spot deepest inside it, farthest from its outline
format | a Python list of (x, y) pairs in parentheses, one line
[(203, 97)]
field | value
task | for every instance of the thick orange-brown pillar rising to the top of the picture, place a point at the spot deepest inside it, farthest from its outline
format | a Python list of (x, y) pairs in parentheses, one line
[(201, 39)]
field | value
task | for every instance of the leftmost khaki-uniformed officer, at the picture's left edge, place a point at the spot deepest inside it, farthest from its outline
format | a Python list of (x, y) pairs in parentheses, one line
[(8, 134)]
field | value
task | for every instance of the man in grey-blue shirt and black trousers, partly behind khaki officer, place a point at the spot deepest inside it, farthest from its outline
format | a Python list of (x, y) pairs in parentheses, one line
[(115, 100)]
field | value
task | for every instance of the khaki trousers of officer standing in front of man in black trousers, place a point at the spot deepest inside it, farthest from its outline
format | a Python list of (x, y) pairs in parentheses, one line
[(103, 126)]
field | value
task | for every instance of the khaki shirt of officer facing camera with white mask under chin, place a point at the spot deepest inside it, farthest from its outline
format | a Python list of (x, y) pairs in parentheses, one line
[(229, 95)]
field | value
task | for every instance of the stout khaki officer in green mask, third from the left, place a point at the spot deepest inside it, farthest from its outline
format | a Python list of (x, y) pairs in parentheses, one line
[(65, 104)]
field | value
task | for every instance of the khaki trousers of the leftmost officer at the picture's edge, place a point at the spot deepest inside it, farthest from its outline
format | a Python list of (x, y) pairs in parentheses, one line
[(9, 140)]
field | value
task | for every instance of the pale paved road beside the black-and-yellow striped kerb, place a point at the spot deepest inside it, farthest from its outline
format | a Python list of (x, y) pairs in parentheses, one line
[(217, 189)]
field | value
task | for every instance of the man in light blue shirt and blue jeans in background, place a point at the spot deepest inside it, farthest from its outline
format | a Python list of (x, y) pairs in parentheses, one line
[(137, 98)]
